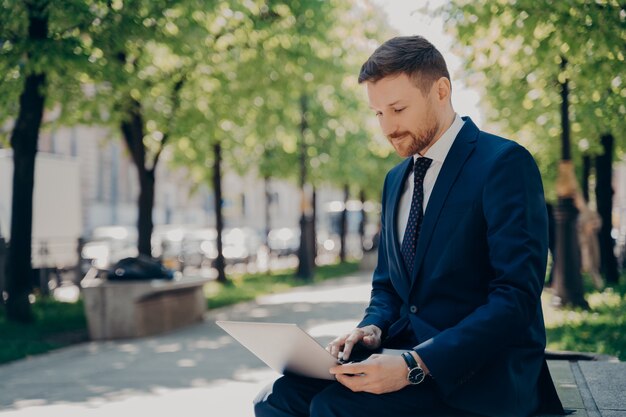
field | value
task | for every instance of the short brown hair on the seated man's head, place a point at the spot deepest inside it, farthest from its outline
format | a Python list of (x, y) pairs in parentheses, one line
[(411, 55)]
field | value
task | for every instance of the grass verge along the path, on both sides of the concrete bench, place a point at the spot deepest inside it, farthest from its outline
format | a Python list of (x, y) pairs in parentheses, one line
[(58, 324)]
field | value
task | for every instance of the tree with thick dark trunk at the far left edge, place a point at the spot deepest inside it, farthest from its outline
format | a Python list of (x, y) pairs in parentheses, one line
[(40, 44)]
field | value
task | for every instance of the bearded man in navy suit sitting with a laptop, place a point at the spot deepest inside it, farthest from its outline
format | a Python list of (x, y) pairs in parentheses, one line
[(461, 265)]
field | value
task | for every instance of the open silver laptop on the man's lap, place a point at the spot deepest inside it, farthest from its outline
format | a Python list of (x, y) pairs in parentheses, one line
[(284, 347)]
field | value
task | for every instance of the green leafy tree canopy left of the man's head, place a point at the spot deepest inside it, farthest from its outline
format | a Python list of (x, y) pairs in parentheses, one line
[(226, 71)]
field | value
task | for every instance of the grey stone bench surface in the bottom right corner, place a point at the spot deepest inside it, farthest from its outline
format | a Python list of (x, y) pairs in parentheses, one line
[(590, 388)]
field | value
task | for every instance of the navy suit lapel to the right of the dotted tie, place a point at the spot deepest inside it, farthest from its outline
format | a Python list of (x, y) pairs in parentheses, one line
[(459, 152)]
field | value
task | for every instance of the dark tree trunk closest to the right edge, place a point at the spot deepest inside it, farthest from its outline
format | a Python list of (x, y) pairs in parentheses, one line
[(604, 201)]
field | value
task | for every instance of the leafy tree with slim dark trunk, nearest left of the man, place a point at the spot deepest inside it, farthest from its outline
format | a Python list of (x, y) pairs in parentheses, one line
[(318, 64)]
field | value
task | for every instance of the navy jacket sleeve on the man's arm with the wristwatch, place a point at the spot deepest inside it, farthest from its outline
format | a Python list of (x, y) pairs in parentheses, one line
[(516, 221)]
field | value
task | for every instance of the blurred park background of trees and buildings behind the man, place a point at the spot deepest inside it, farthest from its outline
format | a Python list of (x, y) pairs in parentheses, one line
[(226, 138)]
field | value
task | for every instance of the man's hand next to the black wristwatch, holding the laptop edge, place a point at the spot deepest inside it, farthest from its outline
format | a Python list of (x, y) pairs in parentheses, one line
[(377, 375)]
